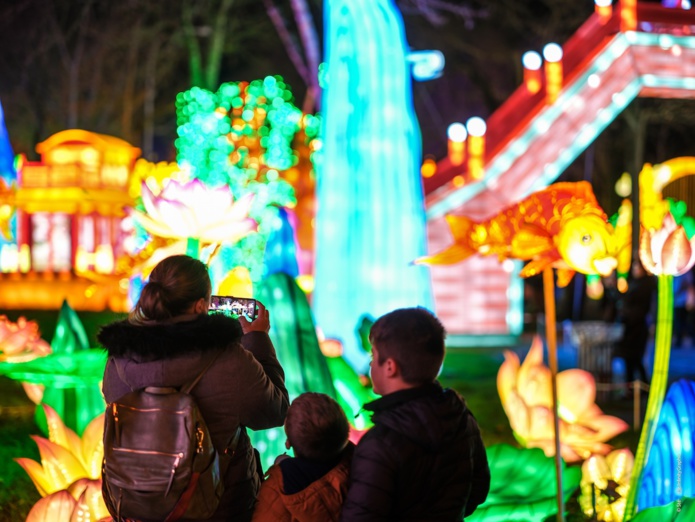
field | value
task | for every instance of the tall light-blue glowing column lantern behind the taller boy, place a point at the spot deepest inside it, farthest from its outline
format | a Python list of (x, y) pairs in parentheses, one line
[(370, 221)]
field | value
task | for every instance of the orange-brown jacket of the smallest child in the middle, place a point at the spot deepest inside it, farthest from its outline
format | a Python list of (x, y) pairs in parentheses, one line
[(320, 501)]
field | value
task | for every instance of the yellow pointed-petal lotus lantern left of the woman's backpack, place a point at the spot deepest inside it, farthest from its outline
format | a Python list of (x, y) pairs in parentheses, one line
[(65, 457)]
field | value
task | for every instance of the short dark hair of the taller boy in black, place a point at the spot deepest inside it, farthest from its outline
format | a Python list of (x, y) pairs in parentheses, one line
[(414, 338)]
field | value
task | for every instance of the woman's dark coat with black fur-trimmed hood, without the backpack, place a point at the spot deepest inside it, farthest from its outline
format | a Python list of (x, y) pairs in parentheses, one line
[(244, 387)]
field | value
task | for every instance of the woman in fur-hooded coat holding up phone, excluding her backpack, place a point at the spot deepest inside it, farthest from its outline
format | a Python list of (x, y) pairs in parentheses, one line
[(169, 338)]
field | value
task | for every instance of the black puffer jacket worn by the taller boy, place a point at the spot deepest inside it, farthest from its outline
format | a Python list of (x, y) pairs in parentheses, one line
[(423, 460)]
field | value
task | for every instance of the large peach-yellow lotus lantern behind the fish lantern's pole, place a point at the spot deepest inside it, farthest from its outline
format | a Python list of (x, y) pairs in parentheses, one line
[(526, 394)]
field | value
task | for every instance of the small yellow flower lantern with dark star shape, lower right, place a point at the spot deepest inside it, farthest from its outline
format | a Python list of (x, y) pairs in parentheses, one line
[(605, 485)]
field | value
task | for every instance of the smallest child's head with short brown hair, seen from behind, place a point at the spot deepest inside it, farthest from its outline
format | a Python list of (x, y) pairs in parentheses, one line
[(316, 426)]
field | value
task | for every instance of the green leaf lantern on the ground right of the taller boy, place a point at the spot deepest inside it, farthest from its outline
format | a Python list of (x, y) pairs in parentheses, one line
[(523, 485)]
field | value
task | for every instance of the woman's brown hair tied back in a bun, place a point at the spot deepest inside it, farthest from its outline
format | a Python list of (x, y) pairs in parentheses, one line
[(175, 283)]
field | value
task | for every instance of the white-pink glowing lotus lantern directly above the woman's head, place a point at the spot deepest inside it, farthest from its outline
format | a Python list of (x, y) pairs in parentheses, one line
[(195, 213)]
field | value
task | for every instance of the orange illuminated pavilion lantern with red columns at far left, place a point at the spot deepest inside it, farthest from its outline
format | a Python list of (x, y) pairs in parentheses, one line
[(69, 210)]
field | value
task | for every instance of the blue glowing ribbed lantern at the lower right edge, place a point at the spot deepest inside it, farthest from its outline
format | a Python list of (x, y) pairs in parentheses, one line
[(670, 471)]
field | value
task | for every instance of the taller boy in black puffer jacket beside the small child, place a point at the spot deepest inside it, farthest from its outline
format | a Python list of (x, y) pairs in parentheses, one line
[(424, 458)]
